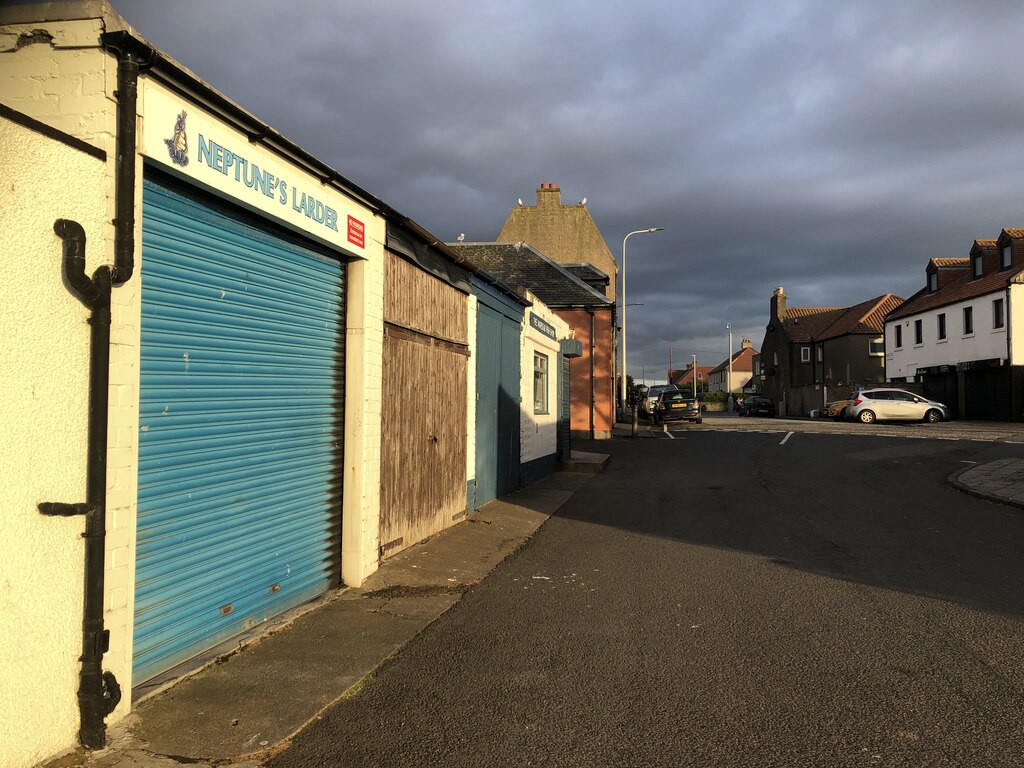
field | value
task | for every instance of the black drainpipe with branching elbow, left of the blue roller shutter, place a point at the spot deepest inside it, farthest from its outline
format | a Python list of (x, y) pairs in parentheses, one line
[(99, 692)]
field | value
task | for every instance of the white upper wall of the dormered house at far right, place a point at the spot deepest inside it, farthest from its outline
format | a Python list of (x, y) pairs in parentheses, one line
[(985, 344)]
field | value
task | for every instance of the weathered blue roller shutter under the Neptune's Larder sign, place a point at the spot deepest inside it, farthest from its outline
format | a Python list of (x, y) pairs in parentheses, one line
[(240, 426)]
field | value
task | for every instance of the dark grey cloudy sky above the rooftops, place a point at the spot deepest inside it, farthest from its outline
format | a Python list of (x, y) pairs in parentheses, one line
[(830, 148)]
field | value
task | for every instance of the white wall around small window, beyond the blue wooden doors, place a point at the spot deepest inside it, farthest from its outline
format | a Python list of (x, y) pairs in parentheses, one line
[(539, 433)]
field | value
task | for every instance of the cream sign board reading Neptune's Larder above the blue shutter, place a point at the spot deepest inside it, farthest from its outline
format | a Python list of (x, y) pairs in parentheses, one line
[(191, 143)]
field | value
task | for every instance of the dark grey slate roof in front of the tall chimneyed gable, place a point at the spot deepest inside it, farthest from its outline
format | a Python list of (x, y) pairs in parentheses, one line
[(522, 265)]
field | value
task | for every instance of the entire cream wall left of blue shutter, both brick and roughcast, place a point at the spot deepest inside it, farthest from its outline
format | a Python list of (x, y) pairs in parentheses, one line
[(66, 83)]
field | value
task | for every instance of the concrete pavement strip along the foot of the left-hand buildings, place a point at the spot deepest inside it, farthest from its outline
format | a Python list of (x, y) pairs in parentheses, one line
[(244, 706)]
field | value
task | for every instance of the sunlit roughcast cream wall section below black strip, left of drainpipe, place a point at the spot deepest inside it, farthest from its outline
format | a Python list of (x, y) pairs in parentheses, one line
[(46, 343)]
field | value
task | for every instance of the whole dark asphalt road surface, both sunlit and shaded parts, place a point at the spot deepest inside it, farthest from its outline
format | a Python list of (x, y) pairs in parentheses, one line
[(724, 600)]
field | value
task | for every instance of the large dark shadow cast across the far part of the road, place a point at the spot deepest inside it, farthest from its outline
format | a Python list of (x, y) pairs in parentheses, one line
[(873, 511)]
